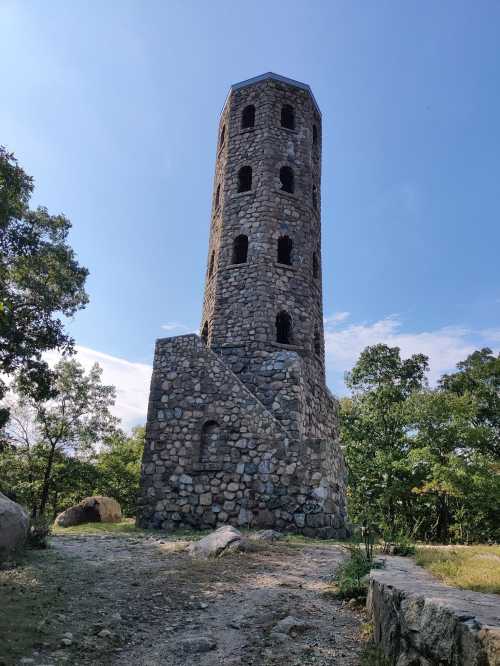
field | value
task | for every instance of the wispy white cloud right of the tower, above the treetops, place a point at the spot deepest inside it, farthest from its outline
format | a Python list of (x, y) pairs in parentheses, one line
[(445, 347)]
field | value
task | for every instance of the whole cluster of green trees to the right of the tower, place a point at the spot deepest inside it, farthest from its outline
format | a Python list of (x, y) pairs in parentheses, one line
[(423, 463)]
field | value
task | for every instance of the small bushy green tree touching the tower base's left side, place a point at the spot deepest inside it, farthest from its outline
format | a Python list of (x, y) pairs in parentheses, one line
[(118, 467)]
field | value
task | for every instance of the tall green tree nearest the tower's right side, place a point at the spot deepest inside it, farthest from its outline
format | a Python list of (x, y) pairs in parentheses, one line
[(374, 434)]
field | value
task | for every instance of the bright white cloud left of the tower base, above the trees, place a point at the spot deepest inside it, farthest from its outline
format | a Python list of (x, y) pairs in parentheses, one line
[(131, 381)]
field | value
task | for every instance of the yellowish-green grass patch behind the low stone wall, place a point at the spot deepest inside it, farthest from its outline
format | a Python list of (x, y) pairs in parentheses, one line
[(466, 567)]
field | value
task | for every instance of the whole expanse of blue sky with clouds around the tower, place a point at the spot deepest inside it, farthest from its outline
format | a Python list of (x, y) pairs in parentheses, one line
[(113, 108)]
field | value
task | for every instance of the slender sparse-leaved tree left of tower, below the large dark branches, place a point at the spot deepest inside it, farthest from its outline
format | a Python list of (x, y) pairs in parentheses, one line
[(69, 425)]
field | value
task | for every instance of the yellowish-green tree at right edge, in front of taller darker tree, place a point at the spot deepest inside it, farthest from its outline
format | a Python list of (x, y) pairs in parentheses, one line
[(455, 482)]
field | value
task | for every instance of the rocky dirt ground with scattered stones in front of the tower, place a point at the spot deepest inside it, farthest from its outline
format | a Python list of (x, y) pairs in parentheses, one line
[(142, 600)]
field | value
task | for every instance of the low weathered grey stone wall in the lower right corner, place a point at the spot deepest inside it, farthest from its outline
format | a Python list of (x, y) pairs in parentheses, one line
[(418, 621)]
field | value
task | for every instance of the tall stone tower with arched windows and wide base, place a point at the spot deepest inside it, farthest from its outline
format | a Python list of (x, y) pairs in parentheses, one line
[(241, 427)]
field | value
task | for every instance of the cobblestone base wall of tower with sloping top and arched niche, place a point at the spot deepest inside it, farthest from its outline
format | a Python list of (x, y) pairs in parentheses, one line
[(215, 455)]
